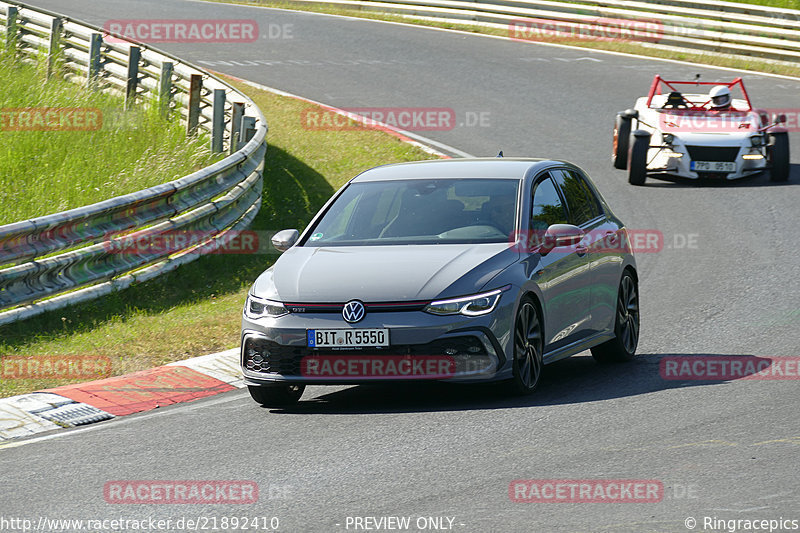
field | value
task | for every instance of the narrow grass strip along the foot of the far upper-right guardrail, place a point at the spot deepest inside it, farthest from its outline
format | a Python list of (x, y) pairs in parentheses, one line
[(753, 64)]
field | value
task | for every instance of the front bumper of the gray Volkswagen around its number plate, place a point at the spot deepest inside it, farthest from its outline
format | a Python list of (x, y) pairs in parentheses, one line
[(442, 348)]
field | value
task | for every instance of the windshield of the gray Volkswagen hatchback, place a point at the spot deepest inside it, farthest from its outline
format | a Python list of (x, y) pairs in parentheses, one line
[(420, 211)]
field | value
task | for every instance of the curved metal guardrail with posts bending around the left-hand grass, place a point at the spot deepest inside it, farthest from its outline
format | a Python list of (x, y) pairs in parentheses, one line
[(64, 258)]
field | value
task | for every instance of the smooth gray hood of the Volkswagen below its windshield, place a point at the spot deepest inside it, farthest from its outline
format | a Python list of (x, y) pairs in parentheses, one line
[(382, 273)]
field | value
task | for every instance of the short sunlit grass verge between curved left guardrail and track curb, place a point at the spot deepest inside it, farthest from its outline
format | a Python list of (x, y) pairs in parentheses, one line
[(197, 309)]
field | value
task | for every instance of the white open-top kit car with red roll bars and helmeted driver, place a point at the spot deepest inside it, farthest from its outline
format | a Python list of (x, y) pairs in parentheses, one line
[(678, 131)]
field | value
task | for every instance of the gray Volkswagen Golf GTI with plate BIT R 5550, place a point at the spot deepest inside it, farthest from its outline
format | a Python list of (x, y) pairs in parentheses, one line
[(457, 270)]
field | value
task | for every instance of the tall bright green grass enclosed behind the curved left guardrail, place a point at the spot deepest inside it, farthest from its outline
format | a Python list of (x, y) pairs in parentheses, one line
[(43, 172)]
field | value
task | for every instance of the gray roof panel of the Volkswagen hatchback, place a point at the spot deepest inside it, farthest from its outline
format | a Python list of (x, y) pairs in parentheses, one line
[(485, 167)]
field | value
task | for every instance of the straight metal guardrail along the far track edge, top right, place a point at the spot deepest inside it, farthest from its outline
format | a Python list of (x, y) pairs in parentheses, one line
[(705, 26)]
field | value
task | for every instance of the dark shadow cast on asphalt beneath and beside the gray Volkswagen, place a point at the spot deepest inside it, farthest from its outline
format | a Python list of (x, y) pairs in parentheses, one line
[(577, 379)]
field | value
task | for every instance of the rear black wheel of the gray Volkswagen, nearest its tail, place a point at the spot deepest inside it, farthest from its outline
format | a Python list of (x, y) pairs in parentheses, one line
[(626, 325)]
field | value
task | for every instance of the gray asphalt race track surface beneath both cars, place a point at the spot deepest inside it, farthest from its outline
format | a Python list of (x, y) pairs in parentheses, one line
[(727, 282)]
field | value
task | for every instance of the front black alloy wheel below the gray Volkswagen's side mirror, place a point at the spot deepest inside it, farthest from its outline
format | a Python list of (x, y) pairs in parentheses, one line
[(528, 348)]
